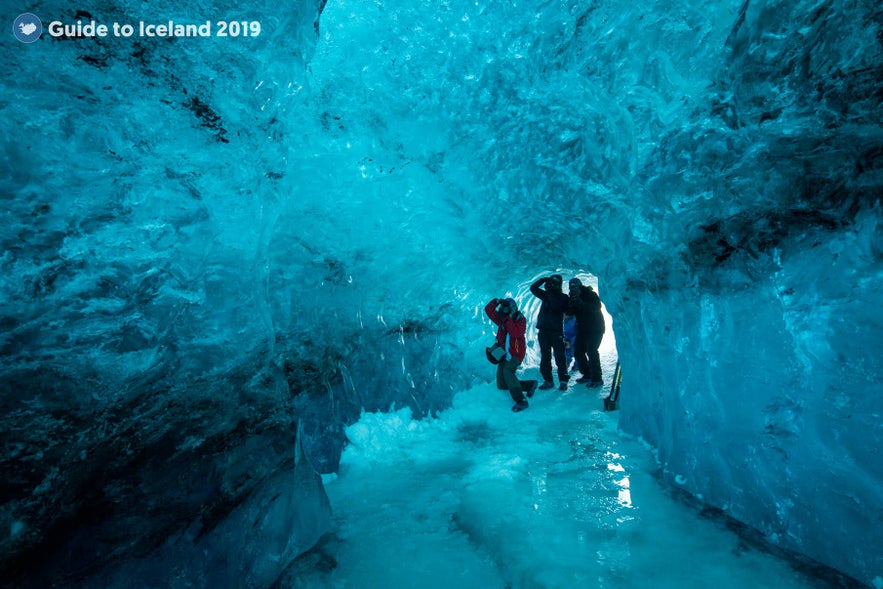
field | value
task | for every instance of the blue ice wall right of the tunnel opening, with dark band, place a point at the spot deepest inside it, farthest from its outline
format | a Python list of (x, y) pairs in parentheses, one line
[(751, 315)]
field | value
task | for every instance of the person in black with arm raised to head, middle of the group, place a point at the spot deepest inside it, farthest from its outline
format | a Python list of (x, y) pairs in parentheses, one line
[(550, 327)]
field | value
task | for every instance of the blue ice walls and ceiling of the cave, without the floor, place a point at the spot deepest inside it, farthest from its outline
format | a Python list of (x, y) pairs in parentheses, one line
[(219, 250)]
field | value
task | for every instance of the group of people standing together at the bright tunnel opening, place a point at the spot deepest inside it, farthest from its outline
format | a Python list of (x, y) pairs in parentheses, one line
[(581, 306)]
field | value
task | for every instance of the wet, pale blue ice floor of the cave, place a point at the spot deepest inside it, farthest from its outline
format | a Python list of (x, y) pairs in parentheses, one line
[(550, 497)]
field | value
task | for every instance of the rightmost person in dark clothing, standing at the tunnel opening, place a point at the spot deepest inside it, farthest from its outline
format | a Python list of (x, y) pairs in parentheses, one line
[(586, 307)]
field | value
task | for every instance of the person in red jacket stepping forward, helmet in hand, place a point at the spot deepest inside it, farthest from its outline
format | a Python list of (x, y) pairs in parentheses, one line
[(511, 326)]
